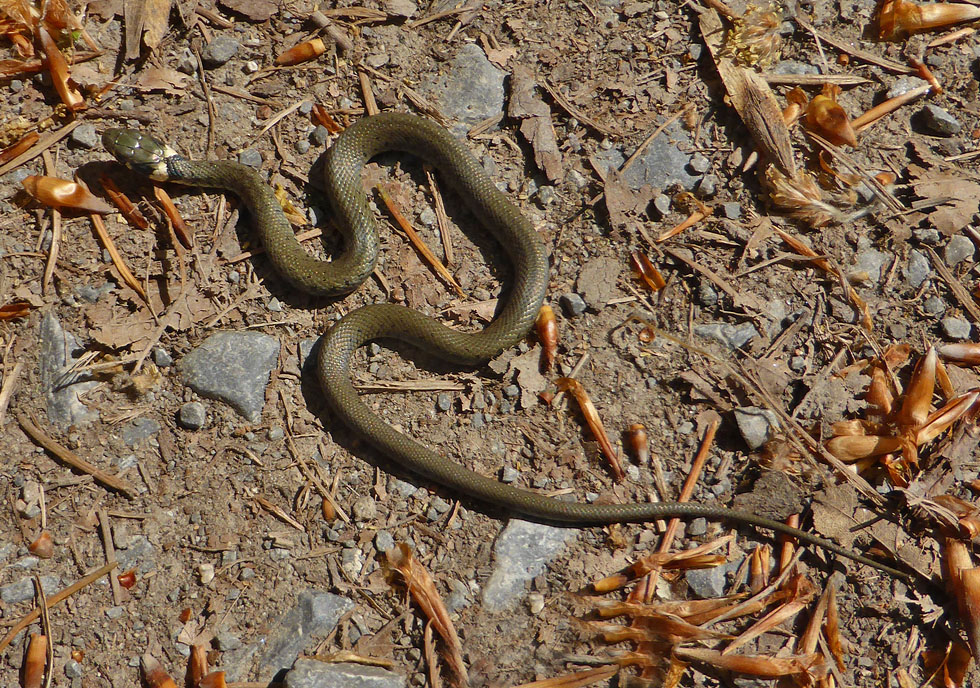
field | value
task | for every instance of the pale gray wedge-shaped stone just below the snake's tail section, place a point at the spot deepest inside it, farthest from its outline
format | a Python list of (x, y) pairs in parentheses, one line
[(522, 551)]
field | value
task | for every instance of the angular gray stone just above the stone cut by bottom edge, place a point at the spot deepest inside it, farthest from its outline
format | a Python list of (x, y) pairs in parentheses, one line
[(315, 615)]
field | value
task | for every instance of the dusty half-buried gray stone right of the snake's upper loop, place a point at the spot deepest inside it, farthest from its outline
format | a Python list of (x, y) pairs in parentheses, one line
[(661, 165)]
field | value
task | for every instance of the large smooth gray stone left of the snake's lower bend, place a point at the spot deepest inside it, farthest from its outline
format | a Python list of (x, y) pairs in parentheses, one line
[(233, 367)]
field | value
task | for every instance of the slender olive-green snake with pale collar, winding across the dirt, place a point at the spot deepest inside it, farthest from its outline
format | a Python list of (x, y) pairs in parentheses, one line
[(344, 161)]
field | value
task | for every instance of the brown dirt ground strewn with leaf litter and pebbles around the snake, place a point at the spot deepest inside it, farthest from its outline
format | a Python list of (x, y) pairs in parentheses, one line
[(618, 72)]
